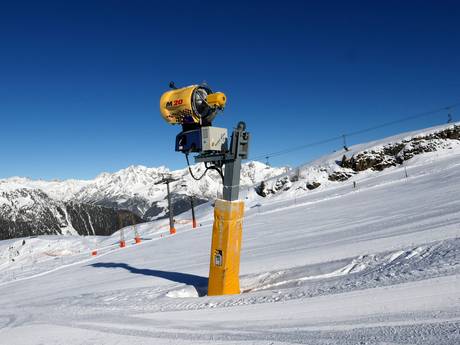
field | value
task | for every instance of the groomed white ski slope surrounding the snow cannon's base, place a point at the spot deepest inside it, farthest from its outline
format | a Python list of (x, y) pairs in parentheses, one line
[(375, 264)]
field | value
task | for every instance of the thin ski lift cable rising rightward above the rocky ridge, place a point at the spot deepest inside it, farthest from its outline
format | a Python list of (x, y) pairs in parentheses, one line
[(365, 130)]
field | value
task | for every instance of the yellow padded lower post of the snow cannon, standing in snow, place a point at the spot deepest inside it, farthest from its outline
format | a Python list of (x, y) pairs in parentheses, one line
[(227, 231)]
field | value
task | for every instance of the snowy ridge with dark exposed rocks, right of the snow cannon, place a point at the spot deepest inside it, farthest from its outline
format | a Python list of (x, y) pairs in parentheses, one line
[(362, 160)]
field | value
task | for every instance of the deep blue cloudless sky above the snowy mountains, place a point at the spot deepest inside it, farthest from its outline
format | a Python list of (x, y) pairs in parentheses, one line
[(80, 81)]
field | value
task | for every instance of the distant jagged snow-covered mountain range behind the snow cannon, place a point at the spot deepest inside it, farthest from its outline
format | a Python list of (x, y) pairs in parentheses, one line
[(108, 202)]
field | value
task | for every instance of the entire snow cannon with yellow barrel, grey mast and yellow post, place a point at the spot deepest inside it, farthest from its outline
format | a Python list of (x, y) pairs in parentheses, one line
[(195, 107)]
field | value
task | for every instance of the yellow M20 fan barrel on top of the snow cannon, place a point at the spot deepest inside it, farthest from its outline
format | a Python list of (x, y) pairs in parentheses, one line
[(195, 104)]
